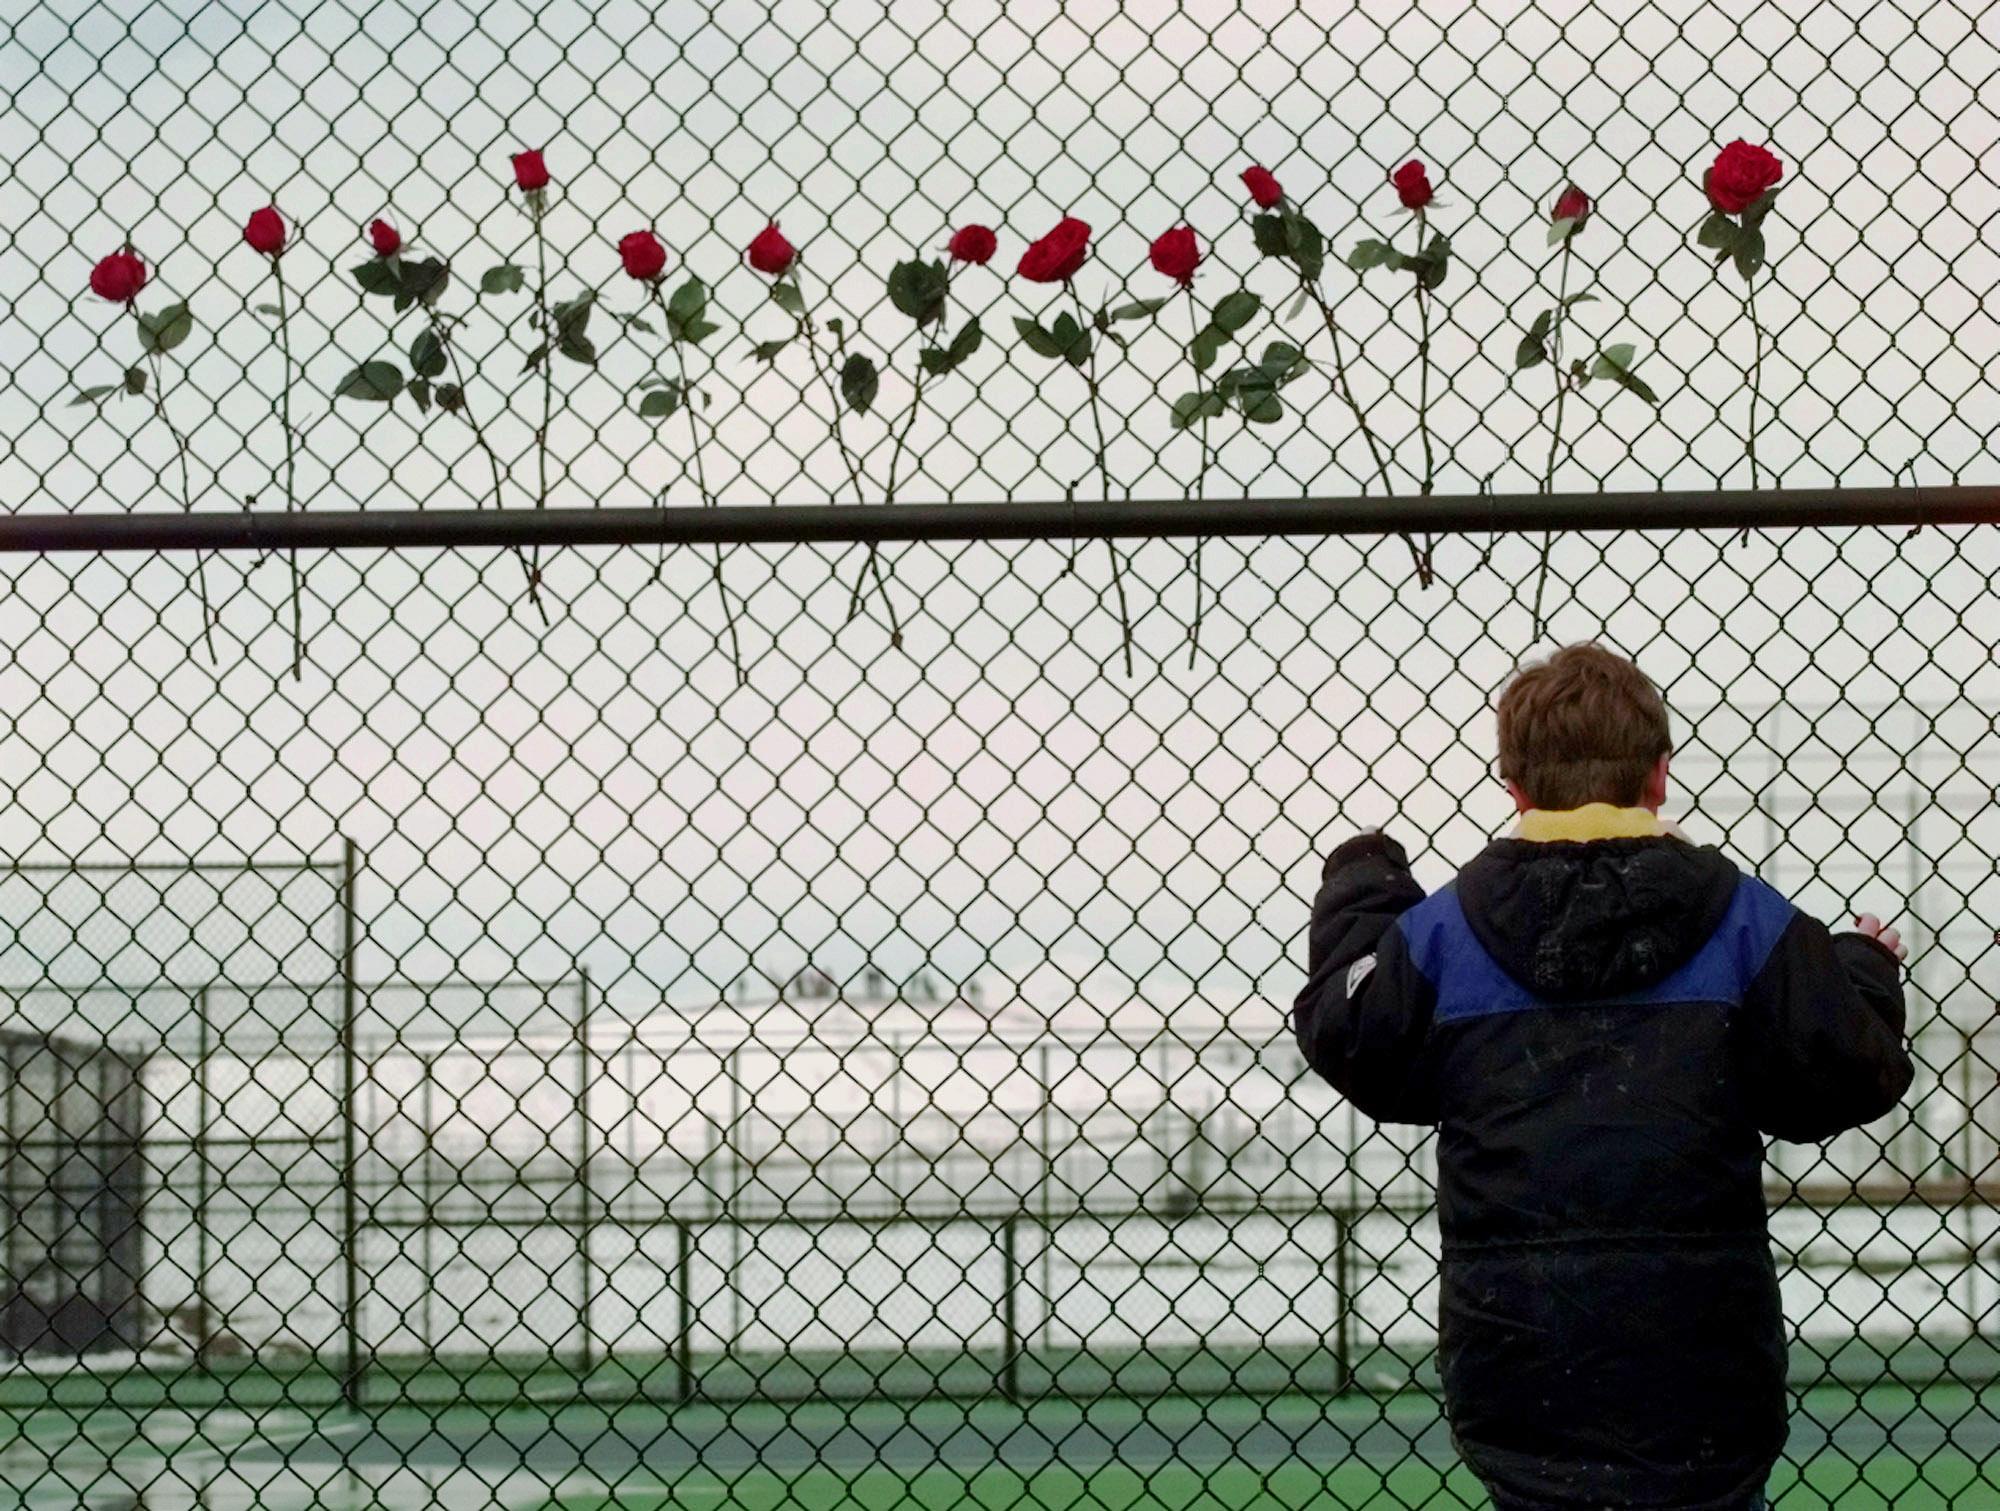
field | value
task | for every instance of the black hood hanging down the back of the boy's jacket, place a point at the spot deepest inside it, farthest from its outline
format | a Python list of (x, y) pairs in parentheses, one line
[(1595, 918)]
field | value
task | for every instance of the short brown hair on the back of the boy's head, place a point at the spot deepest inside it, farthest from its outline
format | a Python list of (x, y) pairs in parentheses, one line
[(1585, 727)]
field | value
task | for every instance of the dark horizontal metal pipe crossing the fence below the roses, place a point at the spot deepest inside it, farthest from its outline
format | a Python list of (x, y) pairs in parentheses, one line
[(1043, 521)]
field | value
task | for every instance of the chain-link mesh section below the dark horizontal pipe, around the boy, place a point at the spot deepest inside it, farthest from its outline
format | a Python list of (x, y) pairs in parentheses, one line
[(705, 1070)]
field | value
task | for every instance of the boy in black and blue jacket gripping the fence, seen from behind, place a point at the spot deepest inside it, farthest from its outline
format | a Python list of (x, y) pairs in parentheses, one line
[(1601, 1020)]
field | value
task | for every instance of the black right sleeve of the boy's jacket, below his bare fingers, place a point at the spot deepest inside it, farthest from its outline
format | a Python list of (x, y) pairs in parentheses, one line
[(1823, 1026)]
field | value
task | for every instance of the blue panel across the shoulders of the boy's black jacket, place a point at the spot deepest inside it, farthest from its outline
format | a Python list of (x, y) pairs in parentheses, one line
[(1471, 982)]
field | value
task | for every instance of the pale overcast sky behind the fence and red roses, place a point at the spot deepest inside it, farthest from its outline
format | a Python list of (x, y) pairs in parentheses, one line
[(995, 800)]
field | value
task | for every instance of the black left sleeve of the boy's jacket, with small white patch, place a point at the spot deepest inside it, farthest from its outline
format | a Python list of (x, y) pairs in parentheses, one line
[(1363, 1018)]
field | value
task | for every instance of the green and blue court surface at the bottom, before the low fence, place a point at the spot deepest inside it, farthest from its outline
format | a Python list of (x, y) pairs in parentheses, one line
[(1881, 1448)]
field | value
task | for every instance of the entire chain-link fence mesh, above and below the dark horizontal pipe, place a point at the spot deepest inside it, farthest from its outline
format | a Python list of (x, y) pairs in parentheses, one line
[(685, 1042)]
